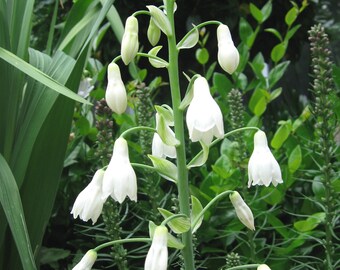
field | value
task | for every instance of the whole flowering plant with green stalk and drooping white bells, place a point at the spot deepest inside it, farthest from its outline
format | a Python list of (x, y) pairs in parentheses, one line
[(204, 121)]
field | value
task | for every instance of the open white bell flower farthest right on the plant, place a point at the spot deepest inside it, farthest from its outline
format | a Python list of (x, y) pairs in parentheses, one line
[(263, 168)]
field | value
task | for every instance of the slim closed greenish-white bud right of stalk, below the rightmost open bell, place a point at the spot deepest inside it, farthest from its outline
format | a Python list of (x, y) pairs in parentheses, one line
[(242, 210)]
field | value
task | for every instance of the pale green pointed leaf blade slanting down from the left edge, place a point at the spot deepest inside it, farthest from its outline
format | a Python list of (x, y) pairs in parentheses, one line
[(39, 75)]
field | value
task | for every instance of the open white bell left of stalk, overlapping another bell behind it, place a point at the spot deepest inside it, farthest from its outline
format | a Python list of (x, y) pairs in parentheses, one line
[(120, 178)]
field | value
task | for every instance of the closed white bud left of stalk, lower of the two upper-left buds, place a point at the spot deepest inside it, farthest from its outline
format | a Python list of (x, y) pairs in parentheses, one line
[(115, 95)]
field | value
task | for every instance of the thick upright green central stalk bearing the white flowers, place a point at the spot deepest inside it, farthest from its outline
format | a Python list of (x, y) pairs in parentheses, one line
[(182, 185)]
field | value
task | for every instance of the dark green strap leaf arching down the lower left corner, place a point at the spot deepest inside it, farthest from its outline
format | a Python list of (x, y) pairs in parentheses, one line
[(12, 206)]
